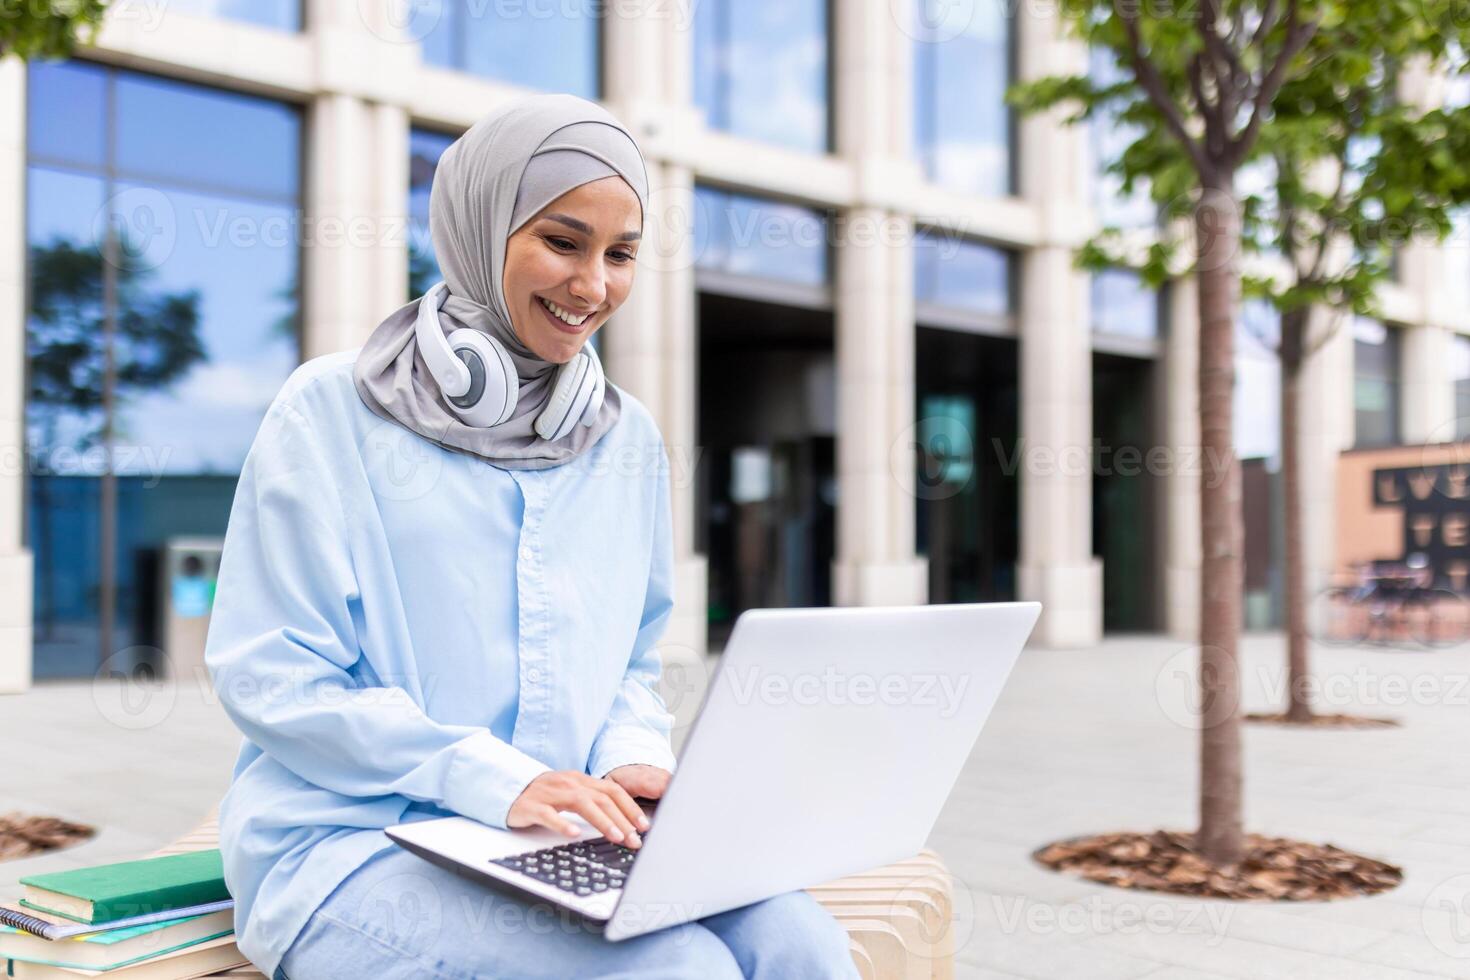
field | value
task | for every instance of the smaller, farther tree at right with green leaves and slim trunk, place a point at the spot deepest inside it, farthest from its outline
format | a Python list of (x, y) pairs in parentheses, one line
[(1356, 173)]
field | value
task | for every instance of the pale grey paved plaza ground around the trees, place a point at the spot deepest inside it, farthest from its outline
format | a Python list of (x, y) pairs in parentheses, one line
[(1083, 741)]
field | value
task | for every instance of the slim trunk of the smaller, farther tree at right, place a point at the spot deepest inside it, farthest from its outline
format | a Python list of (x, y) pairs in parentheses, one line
[(1294, 586)]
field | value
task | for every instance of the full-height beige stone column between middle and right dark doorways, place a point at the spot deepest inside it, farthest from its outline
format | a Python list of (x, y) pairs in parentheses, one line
[(1056, 565)]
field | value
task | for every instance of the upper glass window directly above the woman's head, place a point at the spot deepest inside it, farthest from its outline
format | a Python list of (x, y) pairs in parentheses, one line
[(531, 43)]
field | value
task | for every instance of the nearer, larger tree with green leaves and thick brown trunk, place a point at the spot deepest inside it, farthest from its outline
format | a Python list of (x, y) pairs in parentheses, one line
[(1211, 87)]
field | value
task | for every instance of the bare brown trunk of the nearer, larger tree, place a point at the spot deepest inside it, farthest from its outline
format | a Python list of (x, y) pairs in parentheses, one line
[(1218, 239)]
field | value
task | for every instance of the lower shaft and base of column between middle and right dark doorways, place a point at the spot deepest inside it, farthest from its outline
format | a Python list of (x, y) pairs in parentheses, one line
[(1058, 566)]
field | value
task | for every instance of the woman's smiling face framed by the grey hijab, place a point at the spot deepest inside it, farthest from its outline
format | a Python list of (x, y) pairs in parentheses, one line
[(571, 267)]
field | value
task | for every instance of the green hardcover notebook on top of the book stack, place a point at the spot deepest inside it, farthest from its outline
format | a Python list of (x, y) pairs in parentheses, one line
[(129, 888)]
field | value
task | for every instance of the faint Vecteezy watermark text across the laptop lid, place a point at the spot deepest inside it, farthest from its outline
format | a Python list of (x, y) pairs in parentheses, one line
[(837, 687)]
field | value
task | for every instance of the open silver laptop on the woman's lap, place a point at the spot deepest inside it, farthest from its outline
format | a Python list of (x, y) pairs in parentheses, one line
[(828, 743)]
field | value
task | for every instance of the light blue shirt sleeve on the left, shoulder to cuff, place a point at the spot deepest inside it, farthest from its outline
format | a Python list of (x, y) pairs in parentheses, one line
[(284, 638)]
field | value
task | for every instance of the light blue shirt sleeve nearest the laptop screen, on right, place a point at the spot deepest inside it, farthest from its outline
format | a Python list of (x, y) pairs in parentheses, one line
[(637, 729)]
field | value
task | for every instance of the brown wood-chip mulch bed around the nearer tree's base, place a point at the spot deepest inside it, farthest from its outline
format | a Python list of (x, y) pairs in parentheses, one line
[(1274, 869)]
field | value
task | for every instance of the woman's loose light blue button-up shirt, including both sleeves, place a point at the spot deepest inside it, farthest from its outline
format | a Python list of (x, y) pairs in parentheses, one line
[(404, 633)]
